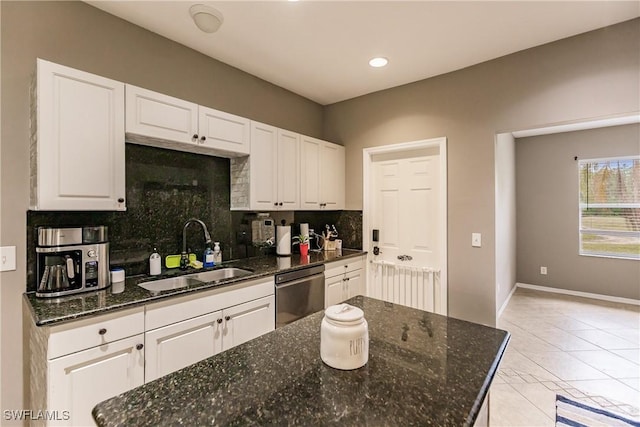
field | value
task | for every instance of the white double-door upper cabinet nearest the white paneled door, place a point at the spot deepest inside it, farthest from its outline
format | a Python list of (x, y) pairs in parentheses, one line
[(322, 174)]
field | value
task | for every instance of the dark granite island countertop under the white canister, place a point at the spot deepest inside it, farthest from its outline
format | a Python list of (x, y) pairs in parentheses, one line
[(423, 369)]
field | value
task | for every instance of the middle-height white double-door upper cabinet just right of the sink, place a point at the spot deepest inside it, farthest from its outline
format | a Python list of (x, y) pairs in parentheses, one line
[(269, 178)]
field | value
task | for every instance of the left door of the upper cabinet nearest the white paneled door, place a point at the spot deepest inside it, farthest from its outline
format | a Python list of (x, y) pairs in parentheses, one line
[(310, 173)]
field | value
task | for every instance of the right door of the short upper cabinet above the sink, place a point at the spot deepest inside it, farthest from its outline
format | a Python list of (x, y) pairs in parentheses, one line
[(224, 132)]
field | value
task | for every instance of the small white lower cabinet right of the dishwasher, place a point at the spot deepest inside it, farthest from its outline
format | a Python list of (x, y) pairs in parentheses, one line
[(343, 280)]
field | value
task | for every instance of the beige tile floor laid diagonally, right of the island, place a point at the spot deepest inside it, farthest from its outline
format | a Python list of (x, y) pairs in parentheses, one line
[(582, 348)]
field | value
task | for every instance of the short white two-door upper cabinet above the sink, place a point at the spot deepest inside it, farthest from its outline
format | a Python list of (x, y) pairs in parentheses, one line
[(168, 122)]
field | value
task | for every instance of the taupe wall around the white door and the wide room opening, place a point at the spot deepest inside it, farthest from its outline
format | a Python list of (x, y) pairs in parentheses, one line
[(591, 75)]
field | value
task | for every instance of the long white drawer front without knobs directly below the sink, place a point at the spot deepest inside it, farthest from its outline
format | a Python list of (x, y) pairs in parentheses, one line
[(179, 309)]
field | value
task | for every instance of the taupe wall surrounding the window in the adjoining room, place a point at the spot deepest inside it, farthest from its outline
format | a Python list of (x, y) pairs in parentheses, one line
[(547, 212)]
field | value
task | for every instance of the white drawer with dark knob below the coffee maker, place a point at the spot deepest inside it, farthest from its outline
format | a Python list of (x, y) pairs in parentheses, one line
[(75, 336)]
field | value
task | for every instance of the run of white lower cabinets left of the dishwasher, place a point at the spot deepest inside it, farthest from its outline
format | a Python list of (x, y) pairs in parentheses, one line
[(76, 365)]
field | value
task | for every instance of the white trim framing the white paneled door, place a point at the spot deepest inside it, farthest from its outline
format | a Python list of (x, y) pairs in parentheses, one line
[(367, 159)]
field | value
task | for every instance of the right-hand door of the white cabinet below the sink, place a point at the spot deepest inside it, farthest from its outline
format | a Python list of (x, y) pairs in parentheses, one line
[(247, 321)]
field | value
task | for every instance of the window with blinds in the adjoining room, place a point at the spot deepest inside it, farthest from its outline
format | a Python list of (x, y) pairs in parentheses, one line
[(610, 207)]
